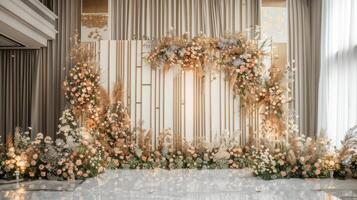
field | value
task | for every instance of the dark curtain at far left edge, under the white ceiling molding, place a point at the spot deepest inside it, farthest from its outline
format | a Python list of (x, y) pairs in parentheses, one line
[(17, 70)]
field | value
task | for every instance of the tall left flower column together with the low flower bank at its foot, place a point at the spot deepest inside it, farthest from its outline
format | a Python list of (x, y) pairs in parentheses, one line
[(77, 151)]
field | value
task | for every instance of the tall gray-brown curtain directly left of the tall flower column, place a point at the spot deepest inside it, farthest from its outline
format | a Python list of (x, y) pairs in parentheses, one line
[(53, 64)]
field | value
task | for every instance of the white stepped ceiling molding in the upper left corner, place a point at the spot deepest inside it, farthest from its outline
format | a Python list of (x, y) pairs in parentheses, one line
[(26, 24)]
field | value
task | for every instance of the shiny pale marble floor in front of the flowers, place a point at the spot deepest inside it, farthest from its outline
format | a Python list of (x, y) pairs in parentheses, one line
[(182, 184)]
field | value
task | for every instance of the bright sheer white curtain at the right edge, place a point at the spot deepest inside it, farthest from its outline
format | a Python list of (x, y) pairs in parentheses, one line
[(338, 81)]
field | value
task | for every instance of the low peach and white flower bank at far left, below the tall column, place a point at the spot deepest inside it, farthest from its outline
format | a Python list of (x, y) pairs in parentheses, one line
[(43, 158)]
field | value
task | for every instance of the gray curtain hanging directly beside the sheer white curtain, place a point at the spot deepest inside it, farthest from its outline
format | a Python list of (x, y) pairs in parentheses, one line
[(304, 48)]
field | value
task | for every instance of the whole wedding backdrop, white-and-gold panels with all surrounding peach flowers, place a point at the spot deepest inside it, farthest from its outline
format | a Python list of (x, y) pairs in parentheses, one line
[(97, 131)]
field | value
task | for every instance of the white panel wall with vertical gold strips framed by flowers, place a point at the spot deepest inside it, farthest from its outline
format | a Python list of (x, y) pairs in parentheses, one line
[(190, 105)]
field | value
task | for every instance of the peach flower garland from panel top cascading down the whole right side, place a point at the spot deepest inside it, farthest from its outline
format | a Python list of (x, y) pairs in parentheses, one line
[(242, 61)]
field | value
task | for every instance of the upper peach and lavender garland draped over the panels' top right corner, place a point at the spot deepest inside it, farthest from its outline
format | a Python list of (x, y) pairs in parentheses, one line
[(240, 58)]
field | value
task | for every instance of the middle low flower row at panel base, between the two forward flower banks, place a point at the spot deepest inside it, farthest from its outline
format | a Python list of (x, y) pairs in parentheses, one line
[(141, 155)]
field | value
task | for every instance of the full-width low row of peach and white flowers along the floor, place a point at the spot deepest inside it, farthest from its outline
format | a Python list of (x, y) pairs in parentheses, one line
[(301, 157)]
